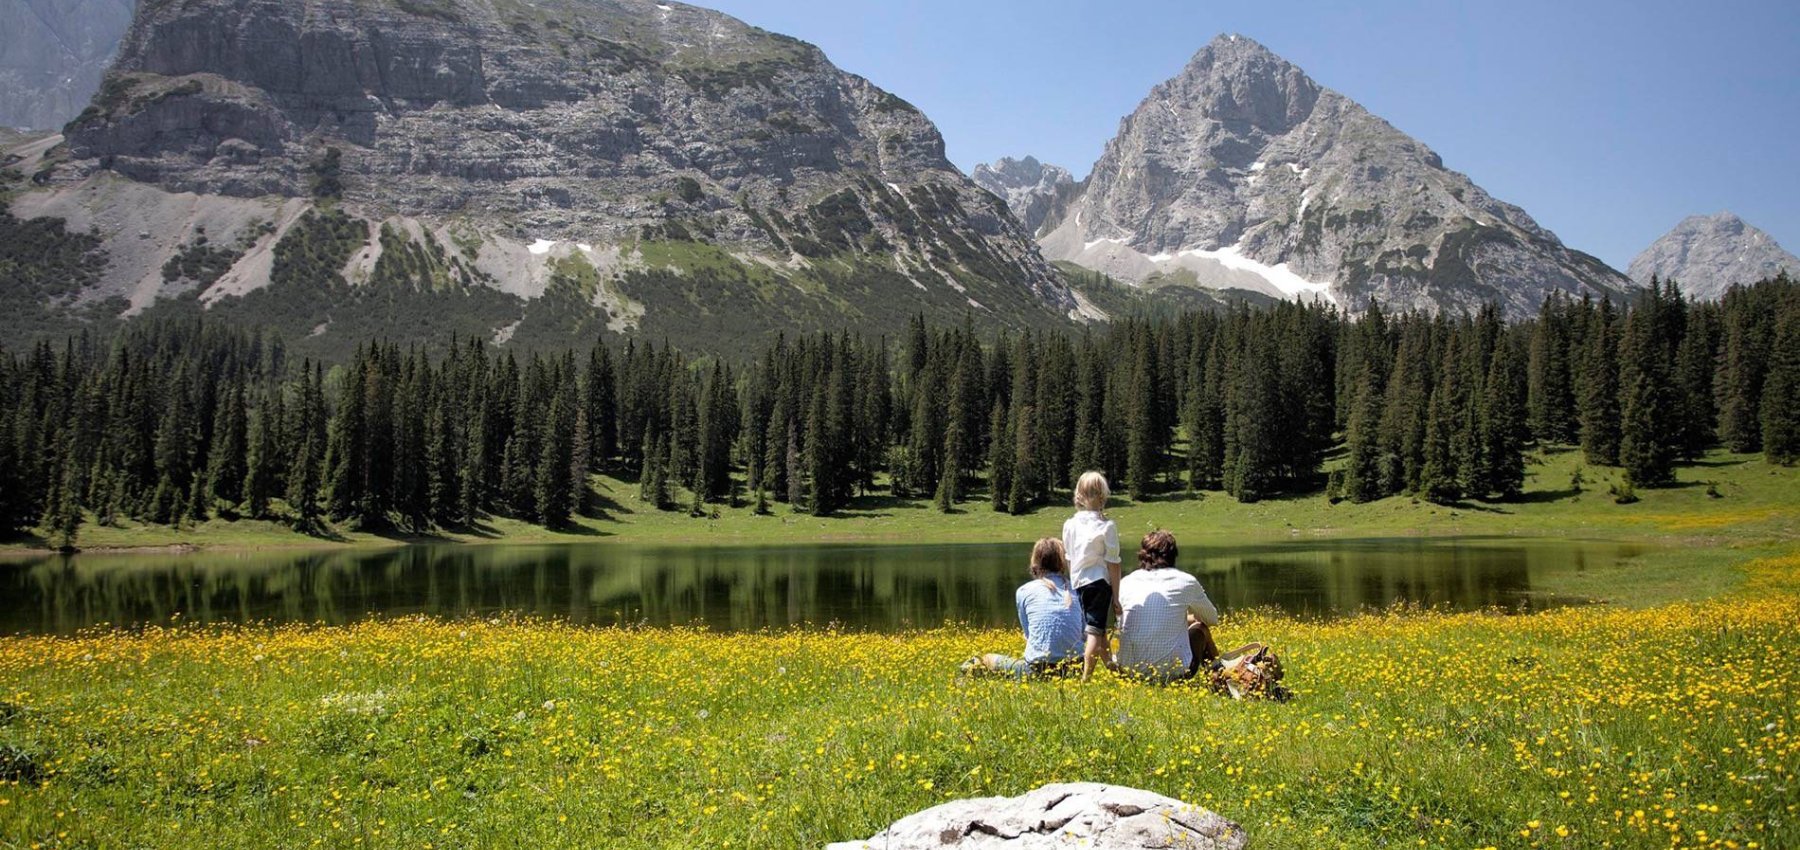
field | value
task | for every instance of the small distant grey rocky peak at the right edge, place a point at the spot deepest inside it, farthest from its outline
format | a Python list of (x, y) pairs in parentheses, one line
[(1707, 255)]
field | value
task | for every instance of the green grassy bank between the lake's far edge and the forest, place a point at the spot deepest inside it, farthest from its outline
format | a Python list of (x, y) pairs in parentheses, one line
[(1691, 534)]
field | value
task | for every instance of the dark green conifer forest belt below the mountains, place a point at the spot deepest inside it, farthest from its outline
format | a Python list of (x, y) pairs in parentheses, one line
[(181, 422)]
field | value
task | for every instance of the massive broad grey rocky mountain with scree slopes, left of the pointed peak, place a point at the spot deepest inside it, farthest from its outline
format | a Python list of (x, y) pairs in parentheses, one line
[(553, 167)]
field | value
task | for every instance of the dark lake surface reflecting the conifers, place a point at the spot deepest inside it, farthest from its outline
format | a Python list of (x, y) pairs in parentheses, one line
[(867, 588)]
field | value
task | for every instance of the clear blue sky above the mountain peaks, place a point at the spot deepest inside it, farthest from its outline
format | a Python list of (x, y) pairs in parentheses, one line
[(1608, 122)]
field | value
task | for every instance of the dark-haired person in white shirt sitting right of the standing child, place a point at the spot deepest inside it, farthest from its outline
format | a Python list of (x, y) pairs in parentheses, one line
[(1165, 633)]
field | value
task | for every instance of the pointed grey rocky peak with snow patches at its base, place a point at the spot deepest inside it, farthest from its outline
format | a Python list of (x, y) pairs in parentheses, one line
[(1245, 174)]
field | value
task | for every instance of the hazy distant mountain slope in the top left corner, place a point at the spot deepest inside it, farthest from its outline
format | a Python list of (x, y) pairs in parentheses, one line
[(53, 55)]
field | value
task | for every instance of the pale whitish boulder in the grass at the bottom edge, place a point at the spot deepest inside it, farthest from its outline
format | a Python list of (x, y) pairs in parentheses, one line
[(1068, 815)]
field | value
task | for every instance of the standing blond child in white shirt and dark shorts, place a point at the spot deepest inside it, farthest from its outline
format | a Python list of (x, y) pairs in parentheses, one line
[(1092, 543)]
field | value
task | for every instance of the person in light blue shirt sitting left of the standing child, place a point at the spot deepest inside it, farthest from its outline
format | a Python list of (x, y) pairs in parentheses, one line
[(1048, 617)]
